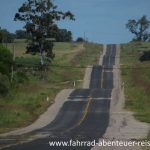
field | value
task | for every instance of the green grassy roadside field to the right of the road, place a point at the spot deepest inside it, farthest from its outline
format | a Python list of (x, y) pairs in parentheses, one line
[(136, 76)]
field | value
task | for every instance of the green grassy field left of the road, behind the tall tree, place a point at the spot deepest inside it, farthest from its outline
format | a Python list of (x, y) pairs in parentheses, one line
[(28, 100)]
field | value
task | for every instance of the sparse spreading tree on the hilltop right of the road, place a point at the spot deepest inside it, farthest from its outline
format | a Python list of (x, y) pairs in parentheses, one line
[(139, 28)]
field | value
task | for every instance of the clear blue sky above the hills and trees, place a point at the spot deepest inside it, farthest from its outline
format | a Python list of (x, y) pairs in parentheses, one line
[(101, 21)]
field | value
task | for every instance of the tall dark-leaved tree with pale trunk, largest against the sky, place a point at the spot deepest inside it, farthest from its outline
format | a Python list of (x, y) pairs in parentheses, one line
[(40, 17)]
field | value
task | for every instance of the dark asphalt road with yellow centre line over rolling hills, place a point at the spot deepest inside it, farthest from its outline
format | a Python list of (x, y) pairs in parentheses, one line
[(85, 116)]
